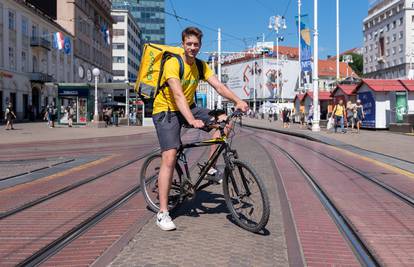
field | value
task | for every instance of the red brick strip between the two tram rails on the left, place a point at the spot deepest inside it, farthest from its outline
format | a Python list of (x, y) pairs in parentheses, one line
[(30, 230)]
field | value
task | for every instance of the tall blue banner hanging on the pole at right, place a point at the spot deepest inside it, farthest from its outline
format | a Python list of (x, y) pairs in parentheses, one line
[(305, 49)]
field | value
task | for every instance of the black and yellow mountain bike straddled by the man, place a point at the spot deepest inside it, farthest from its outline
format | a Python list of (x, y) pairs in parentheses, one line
[(243, 189)]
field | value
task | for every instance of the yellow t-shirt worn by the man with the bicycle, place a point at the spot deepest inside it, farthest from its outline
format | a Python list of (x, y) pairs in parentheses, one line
[(189, 83)]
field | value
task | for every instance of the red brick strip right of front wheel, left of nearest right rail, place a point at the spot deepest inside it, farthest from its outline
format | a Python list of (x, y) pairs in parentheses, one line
[(321, 241)]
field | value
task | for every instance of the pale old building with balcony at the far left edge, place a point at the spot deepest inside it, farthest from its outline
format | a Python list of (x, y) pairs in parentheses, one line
[(29, 63)]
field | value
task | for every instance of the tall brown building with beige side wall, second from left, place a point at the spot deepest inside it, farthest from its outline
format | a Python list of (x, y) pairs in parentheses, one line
[(91, 23)]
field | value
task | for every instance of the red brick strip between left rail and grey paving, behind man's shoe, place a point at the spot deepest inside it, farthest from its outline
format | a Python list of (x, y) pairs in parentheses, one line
[(101, 244)]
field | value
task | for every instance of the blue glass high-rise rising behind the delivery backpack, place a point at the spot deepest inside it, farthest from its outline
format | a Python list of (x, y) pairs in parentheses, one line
[(150, 15)]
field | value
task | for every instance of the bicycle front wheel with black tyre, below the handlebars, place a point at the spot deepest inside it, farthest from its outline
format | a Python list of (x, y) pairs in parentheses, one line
[(246, 196)]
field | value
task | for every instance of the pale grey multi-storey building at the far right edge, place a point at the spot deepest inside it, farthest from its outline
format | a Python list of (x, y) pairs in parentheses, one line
[(388, 39)]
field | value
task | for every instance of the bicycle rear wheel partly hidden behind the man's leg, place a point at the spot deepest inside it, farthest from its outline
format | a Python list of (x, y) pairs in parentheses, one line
[(149, 184)]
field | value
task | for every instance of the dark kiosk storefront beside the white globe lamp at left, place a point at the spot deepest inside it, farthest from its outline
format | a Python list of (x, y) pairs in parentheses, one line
[(77, 100)]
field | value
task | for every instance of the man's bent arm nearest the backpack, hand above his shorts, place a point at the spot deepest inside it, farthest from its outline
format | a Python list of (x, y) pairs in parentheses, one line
[(182, 104)]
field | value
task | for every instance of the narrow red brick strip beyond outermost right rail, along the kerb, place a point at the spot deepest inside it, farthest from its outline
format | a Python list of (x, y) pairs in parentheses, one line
[(397, 180)]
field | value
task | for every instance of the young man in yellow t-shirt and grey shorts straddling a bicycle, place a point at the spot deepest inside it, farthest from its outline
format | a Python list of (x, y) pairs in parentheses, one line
[(175, 106)]
